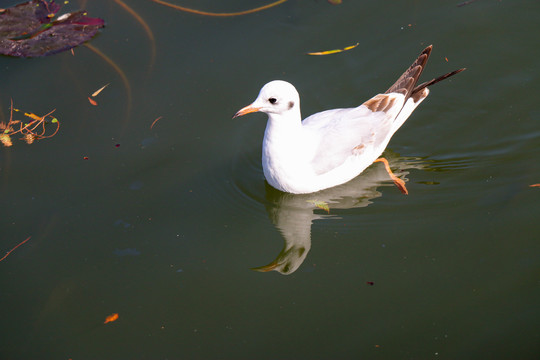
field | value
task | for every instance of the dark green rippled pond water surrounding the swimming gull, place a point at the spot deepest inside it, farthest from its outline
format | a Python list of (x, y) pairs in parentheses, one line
[(163, 226)]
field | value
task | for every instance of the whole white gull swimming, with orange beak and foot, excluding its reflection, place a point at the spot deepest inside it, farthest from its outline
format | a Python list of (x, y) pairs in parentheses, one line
[(332, 147)]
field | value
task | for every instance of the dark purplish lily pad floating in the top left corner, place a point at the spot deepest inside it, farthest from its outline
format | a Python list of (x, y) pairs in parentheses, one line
[(32, 29)]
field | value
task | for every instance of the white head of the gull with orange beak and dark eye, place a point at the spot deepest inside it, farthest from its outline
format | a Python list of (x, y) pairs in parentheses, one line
[(277, 97)]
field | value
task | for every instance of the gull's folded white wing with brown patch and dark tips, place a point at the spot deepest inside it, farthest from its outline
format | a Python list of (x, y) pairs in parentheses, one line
[(366, 130)]
